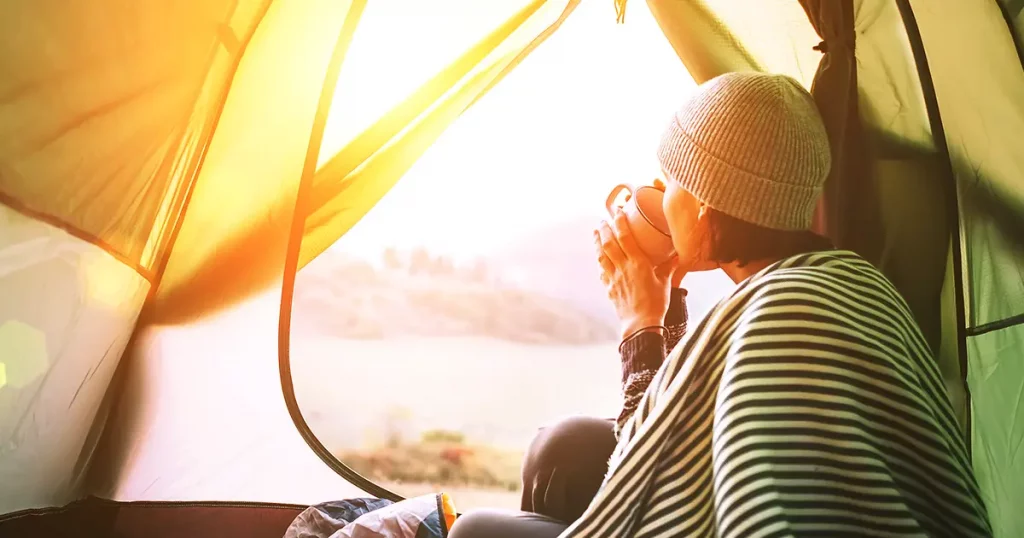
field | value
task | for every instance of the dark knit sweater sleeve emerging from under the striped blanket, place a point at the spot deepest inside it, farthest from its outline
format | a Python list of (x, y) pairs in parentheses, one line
[(644, 354)]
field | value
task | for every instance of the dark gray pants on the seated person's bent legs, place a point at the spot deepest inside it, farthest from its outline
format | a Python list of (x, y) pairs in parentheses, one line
[(562, 473)]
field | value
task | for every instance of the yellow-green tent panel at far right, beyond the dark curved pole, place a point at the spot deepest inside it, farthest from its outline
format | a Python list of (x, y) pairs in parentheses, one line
[(991, 202)]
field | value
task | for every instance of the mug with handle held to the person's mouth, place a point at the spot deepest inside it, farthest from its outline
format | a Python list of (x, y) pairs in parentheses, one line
[(647, 221)]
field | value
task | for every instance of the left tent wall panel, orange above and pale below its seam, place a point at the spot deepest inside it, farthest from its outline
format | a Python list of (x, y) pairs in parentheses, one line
[(104, 115)]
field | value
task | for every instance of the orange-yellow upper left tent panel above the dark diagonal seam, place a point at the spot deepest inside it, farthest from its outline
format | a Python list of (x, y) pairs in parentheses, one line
[(106, 113)]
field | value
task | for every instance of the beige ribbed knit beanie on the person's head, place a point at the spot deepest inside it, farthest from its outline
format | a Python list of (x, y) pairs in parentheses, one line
[(753, 147)]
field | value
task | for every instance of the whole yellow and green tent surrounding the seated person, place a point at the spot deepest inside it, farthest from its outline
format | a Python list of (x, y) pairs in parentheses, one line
[(161, 160)]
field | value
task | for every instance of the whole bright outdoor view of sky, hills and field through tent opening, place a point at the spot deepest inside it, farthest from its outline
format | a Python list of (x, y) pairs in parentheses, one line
[(477, 272)]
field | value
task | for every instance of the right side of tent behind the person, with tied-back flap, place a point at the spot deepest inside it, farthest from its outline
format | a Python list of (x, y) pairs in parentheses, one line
[(937, 203)]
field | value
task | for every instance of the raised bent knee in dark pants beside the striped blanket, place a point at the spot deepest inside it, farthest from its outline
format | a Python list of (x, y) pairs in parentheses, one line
[(566, 466)]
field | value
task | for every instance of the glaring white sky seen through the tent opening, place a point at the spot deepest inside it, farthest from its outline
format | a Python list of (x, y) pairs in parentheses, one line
[(581, 114)]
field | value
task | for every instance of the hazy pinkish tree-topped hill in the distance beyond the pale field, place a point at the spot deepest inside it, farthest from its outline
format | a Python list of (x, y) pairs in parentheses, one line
[(419, 295)]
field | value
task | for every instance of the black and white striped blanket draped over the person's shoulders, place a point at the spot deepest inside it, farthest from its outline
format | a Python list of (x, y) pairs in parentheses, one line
[(804, 404)]
